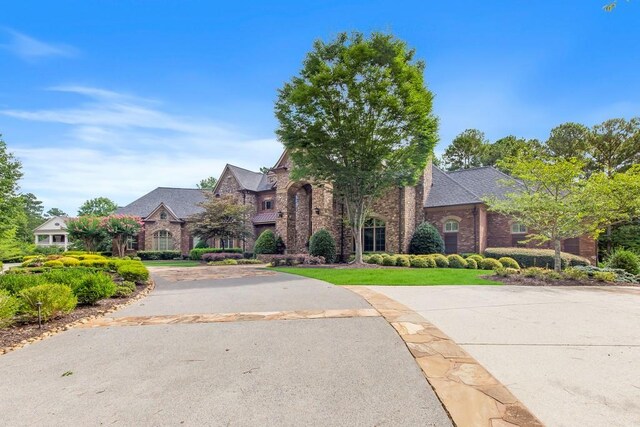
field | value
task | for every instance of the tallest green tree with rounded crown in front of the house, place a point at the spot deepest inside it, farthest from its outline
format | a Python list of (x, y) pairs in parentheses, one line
[(359, 118)]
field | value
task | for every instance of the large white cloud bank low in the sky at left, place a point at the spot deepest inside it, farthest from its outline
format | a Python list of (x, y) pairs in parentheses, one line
[(121, 146)]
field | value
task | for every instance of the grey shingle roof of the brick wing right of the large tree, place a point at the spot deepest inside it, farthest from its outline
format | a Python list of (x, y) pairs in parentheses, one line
[(466, 186)]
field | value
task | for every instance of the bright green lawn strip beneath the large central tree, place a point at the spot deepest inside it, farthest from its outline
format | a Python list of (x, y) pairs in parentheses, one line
[(394, 276)]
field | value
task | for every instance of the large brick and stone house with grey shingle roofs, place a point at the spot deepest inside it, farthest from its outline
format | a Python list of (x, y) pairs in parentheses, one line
[(452, 201)]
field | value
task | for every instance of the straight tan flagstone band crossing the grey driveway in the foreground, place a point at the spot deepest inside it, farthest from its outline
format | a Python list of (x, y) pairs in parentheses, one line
[(230, 317)]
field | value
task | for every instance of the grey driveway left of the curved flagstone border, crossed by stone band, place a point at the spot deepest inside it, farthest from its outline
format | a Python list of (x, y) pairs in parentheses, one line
[(173, 359)]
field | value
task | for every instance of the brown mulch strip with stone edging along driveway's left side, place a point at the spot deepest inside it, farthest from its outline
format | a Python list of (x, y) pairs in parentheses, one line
[(22, 333)]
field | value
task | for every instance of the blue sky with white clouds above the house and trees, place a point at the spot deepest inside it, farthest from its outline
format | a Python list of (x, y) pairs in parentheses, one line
[(115, 98)]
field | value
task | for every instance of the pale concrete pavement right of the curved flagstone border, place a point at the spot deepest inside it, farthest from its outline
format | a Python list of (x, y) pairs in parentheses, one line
[(571, 355)]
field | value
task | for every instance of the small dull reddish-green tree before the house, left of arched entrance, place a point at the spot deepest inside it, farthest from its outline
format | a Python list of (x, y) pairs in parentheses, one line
[(222, 217)]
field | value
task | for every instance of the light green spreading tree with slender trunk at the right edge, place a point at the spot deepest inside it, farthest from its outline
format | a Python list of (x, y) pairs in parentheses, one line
[(557, 199)]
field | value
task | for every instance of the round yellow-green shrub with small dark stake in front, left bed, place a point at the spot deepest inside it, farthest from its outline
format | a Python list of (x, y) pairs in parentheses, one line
[(55, 299)]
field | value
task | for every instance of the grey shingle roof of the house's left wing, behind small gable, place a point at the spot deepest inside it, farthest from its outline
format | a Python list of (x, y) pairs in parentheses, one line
[(182, 201)]
